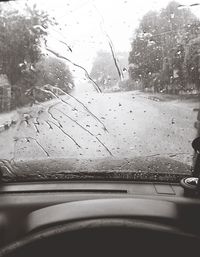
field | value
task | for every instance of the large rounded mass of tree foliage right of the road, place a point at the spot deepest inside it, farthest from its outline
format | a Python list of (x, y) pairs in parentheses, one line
[(164, 52)]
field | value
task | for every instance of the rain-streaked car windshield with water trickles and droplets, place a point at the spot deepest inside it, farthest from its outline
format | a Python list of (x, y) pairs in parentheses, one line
[(98, 86)]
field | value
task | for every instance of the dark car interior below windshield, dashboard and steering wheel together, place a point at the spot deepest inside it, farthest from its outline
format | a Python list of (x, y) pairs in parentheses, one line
[(96, 217)]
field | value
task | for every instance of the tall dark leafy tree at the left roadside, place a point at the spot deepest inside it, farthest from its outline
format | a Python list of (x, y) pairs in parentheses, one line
[(21, 35)]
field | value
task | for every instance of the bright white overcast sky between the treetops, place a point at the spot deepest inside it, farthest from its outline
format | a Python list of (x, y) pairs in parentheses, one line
[(85, 24)]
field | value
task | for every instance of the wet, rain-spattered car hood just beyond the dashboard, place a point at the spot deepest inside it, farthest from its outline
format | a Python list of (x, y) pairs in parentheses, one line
[(136, 169)]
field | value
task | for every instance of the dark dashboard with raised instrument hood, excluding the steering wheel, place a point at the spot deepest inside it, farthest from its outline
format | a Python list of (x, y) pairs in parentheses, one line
[(29, 207)]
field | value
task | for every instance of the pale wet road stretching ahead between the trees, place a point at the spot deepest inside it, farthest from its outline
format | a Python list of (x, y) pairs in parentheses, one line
[(92, 125)]
